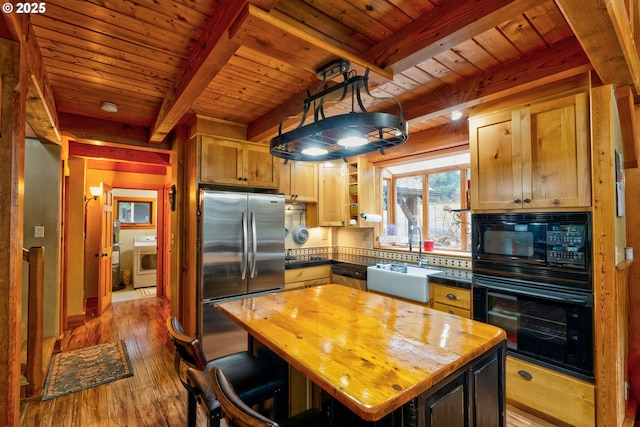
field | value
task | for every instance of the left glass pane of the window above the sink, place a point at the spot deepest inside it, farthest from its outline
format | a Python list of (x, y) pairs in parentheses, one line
[(408, 207)]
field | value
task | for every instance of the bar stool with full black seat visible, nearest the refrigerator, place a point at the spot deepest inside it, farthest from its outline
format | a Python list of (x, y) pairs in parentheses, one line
[(255, 379)]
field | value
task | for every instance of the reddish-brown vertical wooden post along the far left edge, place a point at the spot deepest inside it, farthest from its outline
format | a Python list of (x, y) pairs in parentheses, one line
[(13, 84)]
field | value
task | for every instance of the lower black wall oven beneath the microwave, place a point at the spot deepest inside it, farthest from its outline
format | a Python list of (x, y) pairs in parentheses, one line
[(548, 326)]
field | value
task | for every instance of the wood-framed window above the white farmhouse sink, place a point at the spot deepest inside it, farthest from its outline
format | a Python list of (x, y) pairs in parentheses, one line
[(430, 195)]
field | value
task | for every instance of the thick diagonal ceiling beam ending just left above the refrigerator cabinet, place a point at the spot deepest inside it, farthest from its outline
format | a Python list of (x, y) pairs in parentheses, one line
[(212, 52)]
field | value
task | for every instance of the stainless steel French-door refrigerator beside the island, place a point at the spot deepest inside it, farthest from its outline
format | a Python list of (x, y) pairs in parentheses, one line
[(241, 254)]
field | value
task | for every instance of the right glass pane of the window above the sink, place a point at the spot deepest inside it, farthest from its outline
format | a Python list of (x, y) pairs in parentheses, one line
[(444, 196)]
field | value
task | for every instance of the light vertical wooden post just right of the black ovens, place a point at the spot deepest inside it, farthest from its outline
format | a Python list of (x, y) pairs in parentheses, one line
[(607, 339)]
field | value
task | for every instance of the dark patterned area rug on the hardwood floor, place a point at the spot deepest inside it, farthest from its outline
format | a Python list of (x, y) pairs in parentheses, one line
[(76, 370)]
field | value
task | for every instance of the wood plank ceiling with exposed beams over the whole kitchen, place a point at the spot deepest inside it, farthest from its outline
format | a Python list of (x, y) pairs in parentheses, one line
[(251, 62)]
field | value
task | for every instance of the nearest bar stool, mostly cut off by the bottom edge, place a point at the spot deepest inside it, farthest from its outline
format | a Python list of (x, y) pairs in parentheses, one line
[(238, 414)]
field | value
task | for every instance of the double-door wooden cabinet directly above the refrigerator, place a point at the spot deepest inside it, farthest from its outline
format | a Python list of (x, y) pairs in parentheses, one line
[(236, 163)]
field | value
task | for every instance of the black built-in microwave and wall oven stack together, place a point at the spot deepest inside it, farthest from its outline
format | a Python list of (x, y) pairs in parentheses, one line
[(532, 278)]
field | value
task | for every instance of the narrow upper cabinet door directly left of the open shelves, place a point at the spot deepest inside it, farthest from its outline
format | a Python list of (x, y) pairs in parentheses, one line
[(331, 194)]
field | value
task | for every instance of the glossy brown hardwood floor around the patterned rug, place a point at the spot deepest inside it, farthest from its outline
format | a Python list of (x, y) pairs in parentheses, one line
[(153, 396)]
